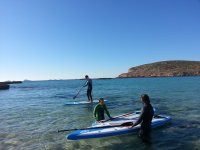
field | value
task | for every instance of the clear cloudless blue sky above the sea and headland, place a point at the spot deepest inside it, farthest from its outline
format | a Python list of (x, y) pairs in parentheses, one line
[(67, 39)]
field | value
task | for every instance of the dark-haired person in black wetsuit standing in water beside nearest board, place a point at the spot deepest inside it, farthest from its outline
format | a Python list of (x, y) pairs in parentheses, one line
[(145, 119)]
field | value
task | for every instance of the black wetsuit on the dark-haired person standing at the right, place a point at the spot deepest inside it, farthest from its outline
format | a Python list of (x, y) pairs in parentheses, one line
[(145, 120)]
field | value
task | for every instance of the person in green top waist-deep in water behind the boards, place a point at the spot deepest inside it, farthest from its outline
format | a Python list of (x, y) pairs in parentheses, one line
[(99, 111)]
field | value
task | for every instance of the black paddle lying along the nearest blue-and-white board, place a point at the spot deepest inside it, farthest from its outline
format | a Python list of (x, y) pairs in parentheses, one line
[(121, 125)]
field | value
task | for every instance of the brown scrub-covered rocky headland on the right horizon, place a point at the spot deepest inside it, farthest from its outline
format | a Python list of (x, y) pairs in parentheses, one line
[(164, 69)]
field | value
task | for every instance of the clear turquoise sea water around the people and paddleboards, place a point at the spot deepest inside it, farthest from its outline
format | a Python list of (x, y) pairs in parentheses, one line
[(32, 112)]
